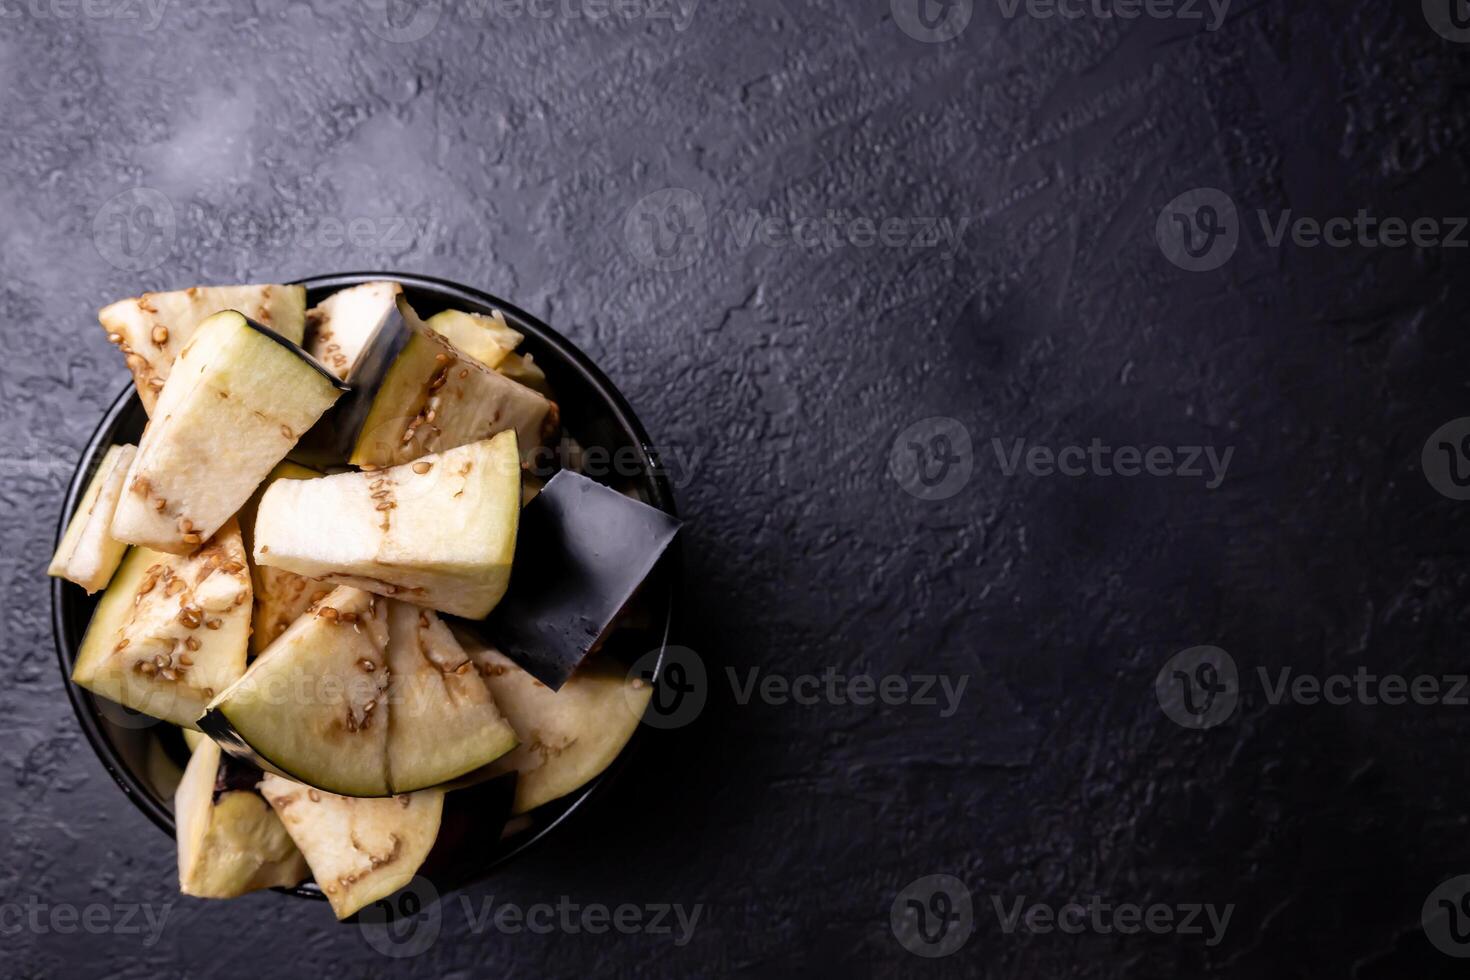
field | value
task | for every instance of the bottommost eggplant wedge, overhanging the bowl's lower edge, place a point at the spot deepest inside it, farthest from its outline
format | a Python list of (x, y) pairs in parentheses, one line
[(359, 850)]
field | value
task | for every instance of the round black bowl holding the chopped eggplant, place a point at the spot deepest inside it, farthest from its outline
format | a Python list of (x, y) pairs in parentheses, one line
[(143, 756)]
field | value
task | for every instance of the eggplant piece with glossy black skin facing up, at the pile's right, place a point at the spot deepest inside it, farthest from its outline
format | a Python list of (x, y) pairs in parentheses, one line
[(581, 555)]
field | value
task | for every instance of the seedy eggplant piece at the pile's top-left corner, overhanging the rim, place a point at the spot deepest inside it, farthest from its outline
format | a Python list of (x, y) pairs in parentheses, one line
[(154, 328)]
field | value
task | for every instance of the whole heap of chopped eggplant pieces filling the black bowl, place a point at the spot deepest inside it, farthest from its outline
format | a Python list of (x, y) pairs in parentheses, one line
[(368, 741)]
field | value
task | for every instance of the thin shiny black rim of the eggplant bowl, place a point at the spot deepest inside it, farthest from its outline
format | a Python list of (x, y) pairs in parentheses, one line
[(655, 480)]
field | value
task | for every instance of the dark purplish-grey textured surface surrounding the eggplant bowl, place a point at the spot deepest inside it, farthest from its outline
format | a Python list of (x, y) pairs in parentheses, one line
[(512, 149)]
